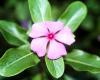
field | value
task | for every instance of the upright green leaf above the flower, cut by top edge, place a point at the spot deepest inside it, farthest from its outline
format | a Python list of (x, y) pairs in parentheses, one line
[(40, 10)]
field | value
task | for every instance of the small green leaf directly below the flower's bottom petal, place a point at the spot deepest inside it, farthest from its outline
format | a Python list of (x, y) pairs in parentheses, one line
[(55, 67)]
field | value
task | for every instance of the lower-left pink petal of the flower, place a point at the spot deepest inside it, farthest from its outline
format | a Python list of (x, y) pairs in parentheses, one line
[(39, 46)]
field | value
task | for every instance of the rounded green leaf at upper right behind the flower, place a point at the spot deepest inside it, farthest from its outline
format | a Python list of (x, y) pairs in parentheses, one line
[(74, 15)]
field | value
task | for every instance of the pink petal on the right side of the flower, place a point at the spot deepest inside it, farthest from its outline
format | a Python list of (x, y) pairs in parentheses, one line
[(65, 36)]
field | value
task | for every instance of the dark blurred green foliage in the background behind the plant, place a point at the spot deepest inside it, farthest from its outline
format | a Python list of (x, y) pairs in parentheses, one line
[(87, 36)]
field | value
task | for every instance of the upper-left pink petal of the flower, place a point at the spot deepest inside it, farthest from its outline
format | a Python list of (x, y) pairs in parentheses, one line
[(38, 29)]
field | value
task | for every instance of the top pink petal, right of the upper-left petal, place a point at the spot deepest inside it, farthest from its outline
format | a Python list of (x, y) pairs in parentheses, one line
[(54, 26)]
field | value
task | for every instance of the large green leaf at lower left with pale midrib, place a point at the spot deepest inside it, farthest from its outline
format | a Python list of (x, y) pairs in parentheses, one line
[(16, 60)]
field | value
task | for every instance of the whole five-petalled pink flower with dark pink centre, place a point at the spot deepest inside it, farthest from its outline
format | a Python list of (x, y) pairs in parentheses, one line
[(49, 38)]
